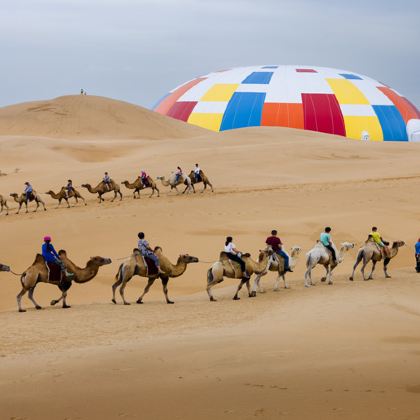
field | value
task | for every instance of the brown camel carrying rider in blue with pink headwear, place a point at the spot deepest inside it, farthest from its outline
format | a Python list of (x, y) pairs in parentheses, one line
[(38, 272)]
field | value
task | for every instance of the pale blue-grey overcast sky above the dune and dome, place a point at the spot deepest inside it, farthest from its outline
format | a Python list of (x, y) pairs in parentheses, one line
[(137, 50)]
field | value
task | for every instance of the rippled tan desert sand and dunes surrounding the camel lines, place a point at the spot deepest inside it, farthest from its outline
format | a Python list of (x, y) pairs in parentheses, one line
[(347, 351)]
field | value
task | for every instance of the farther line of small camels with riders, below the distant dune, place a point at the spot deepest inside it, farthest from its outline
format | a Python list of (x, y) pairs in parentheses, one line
[(107, 186)]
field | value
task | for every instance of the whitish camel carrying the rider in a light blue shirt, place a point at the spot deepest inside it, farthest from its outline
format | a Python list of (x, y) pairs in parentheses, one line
[(320, 255)]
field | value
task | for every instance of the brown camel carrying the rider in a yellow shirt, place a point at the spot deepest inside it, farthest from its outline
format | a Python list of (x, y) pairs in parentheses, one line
[(371, 252)]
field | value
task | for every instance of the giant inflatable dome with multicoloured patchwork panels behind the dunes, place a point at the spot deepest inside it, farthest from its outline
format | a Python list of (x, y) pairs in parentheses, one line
[(306, 97)]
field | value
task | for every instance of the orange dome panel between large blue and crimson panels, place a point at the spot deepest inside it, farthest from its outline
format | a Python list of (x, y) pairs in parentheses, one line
[(282, 115)]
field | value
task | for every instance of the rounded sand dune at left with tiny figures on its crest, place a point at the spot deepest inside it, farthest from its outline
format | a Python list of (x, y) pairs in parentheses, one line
[(89, 117)]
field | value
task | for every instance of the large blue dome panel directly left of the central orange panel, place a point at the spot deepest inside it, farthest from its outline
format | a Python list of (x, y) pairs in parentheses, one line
[(243, 110)]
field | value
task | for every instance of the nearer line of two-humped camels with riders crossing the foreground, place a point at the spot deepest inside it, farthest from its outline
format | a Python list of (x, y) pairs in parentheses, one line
[(58, 269)]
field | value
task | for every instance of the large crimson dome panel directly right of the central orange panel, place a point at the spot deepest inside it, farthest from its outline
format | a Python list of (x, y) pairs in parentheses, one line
[(322, 113)]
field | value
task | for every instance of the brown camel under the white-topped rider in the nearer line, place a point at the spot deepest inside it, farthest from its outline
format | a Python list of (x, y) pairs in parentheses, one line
[(231, 269)]
